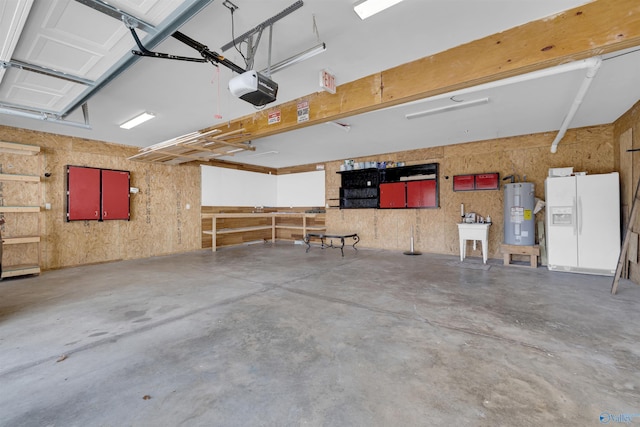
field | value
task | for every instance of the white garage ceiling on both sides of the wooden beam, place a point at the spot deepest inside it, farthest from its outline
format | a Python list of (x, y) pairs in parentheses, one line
[(73, 38)]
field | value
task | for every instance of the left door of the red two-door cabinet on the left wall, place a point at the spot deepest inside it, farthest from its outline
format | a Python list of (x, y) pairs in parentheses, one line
[(83, 193)]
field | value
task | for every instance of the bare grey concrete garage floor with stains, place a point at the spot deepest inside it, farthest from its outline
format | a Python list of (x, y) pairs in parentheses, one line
[(273, 336)]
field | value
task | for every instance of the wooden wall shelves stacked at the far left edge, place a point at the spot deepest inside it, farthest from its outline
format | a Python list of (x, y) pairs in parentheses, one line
[(15, 239)]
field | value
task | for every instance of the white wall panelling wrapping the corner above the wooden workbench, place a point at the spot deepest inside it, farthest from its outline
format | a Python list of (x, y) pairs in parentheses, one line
[(230, 187)]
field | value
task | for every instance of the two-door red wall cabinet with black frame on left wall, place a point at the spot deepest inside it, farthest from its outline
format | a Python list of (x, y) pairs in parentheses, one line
[(97, 194)]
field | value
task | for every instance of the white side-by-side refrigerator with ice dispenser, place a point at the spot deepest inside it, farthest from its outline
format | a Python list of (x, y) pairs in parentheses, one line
[(583, 223)]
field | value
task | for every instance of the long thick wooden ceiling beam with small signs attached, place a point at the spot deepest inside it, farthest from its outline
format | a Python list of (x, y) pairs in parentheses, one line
[(596, 28)]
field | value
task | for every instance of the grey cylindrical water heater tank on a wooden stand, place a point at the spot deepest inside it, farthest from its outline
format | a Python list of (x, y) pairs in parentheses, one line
[(519, 220)]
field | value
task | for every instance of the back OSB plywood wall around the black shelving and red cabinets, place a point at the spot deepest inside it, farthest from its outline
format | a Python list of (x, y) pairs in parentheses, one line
[(435, 230)]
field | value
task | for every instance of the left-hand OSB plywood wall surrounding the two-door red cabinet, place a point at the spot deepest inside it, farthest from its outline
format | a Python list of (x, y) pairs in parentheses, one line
[(160, 221)]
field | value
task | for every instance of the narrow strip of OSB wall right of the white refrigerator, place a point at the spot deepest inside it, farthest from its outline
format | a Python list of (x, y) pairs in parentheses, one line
[(627, 135)]
